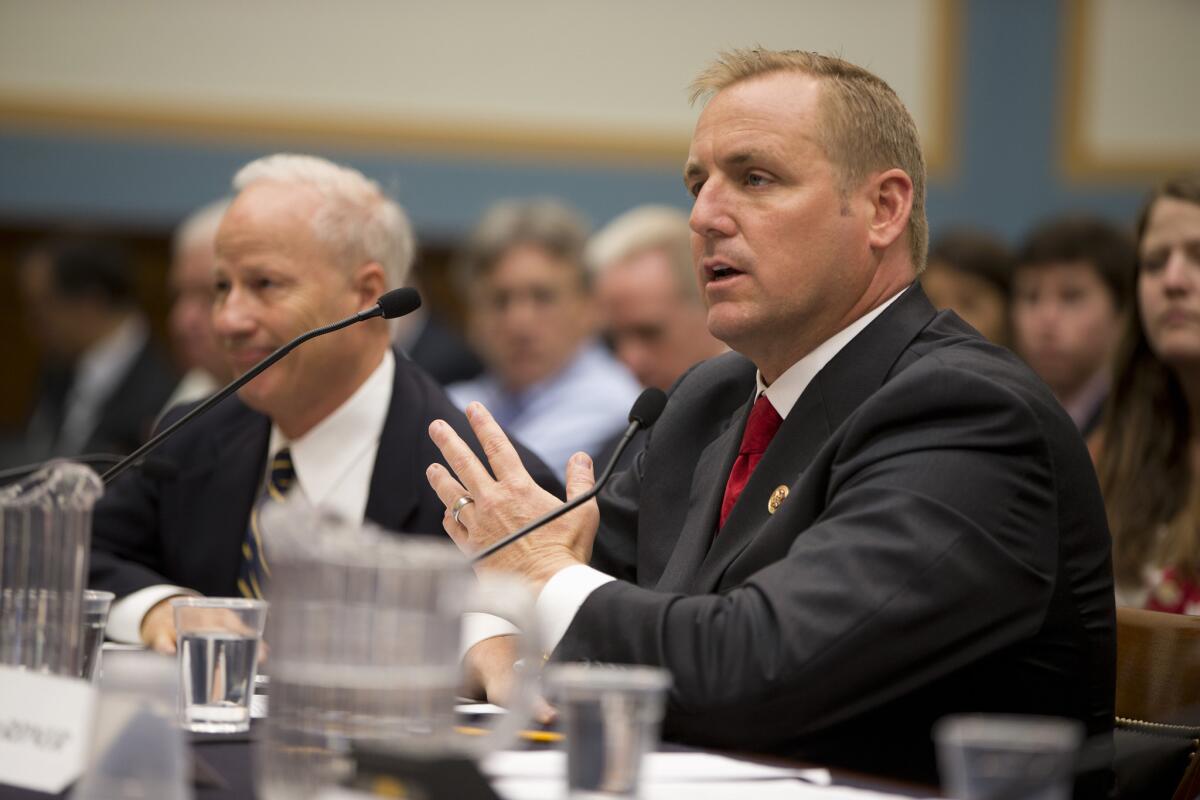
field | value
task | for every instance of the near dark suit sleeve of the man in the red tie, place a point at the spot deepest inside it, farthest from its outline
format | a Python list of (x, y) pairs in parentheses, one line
[(932, 551)]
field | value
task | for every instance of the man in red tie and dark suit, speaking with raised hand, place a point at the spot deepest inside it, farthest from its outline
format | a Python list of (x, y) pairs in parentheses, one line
[(865, 519)]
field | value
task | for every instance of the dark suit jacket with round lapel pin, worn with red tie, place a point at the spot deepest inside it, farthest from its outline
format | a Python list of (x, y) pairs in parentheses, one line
[(943, 549)]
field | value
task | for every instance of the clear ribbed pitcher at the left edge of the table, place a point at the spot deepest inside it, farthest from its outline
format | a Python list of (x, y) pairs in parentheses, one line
[(45, 538)]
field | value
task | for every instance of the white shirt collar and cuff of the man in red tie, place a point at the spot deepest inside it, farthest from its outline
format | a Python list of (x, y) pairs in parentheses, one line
[(566, 592)]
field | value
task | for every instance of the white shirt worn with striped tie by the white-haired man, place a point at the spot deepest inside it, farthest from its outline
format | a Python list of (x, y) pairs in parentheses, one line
[(334, 464)]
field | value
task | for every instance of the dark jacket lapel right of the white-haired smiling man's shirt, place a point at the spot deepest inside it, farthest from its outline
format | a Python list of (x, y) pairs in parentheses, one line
[(392, 500)]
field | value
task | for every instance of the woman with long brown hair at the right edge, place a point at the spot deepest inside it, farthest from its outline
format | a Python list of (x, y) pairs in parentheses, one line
[(1149, 452)]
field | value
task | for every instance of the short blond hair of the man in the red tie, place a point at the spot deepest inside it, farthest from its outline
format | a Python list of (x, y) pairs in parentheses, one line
[(866, 127)]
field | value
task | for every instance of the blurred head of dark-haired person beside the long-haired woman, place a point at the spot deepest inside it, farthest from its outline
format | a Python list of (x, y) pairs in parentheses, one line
[(1070, 291)]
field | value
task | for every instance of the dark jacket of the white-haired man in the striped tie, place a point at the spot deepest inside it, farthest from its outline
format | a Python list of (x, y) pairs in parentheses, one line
[(188, 528)]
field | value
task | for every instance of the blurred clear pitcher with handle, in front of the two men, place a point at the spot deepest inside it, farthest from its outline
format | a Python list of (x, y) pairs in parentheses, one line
[(364, 645)]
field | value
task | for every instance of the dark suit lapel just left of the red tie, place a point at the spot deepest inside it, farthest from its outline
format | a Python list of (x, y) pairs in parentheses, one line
[(704, 506)]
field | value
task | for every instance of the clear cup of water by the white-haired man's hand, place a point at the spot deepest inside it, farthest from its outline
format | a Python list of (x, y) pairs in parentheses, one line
[(219, 640)]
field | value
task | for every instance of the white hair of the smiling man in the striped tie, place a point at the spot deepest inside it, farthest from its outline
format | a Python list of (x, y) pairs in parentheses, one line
[(356, 218)]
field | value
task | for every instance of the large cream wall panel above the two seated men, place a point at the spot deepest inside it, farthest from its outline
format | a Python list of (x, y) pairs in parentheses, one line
[(518, 74)]
